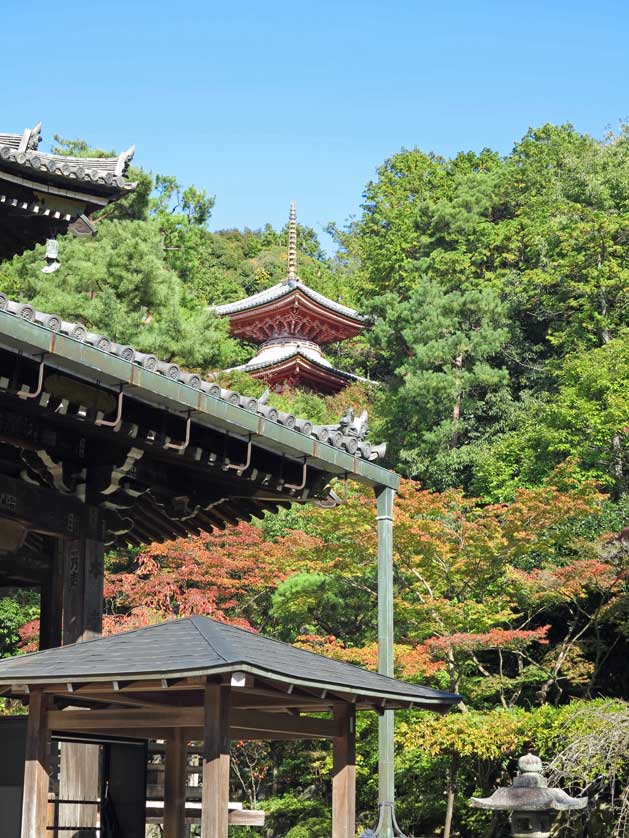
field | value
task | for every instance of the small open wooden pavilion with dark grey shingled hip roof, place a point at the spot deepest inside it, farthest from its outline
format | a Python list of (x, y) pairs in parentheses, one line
[(198, 679)]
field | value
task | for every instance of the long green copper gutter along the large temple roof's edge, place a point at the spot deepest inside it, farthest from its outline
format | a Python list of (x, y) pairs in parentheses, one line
[(95, 366)]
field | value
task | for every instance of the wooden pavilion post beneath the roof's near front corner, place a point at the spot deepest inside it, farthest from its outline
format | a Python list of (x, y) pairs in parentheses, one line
[(215, 800)]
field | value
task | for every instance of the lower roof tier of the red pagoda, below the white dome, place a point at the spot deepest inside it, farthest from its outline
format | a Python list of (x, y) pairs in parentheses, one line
[(298, 366)]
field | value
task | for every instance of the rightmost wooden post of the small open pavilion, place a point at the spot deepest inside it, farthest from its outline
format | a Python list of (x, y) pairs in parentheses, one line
[(344, 773)]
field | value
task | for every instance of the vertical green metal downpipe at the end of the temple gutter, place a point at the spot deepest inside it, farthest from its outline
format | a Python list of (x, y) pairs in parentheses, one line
[(386, 777)]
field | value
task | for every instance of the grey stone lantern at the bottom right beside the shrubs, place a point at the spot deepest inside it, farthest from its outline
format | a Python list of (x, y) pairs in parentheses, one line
[(532, 804)]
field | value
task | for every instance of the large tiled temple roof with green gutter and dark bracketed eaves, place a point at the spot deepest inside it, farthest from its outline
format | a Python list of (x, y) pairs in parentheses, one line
[(163, 453)]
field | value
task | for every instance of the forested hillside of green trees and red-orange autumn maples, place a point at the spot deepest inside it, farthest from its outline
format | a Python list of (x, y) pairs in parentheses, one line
[(498, 288)]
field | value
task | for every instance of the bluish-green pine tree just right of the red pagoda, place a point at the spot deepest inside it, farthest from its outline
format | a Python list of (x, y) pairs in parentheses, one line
[(447, 382)]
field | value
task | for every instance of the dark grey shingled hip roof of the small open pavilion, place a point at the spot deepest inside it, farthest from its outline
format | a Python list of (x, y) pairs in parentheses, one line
[(201, 646)]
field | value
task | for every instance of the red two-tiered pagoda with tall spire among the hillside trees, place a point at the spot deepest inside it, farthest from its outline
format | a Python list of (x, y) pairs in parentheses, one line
[(291, 323)]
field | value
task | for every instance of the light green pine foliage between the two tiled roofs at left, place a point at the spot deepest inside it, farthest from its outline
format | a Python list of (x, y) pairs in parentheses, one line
[(118, 284)]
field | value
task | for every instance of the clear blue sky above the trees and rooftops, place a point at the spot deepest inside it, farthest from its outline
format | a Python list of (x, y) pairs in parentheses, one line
[(261, 103)]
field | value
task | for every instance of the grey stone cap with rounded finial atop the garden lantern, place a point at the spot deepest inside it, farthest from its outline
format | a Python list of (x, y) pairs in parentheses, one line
[(529, 792)]
